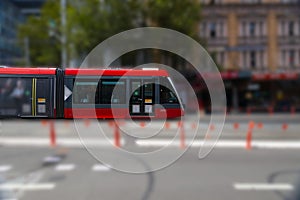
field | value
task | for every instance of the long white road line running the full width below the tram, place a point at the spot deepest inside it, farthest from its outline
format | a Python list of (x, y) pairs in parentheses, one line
[(94, 142)]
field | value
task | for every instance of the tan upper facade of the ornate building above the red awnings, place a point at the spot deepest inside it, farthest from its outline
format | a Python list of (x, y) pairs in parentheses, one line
[(255, 35)]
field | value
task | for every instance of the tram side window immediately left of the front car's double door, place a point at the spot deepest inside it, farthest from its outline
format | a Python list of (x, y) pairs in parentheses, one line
[(113, 92)]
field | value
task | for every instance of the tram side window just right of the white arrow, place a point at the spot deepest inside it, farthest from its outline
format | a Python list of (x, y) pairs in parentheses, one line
[(86, 92)]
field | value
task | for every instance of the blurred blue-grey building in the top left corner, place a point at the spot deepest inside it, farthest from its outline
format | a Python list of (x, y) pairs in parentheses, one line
[(12, 13)]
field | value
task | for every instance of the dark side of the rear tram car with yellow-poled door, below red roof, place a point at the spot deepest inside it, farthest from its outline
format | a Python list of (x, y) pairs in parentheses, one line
[(26, 96)]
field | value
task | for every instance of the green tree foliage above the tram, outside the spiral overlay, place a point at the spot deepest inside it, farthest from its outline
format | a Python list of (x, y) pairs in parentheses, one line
[(89, 22)]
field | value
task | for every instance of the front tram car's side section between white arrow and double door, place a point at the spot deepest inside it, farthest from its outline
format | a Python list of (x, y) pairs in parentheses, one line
[(88, 97)]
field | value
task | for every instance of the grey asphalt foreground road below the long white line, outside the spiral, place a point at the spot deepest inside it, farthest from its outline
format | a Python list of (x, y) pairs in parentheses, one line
[(76, 177)]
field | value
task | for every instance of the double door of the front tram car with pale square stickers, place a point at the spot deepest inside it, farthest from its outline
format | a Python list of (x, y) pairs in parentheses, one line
[(142, 97)]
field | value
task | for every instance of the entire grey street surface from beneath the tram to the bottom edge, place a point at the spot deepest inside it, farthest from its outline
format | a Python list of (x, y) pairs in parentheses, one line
[(32, 170)]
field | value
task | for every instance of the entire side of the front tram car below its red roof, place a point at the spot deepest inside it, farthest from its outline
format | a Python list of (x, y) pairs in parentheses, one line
[(88, 97)]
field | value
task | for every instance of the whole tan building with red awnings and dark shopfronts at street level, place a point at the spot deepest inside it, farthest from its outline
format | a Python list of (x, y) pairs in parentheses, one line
[(257, 45)]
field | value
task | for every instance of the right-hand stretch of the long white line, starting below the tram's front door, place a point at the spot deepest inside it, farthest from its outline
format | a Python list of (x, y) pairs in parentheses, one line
[(262, 144)]
